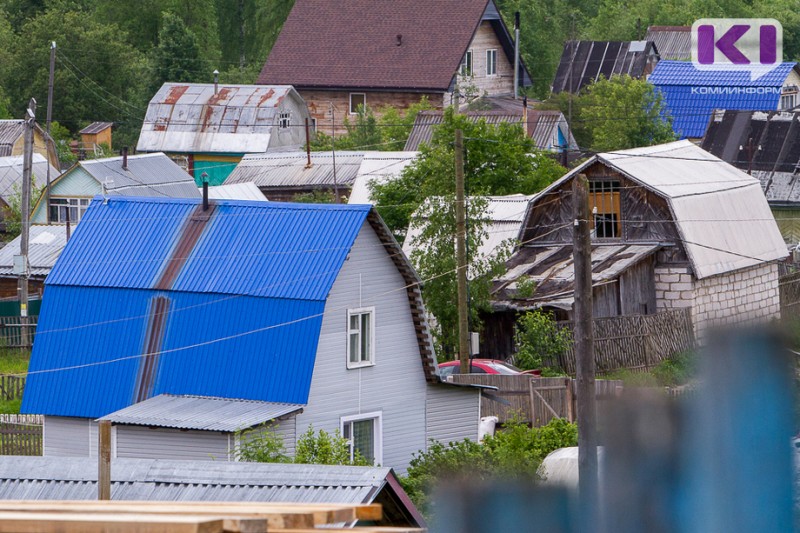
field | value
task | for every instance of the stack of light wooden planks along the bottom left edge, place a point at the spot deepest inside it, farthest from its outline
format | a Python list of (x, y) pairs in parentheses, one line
[(185, 517)]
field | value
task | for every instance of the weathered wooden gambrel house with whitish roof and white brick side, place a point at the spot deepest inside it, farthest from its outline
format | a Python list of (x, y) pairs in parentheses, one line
[(672, 227)]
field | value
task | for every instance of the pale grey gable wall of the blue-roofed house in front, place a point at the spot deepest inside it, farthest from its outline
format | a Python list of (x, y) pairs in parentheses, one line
[(395, 386)]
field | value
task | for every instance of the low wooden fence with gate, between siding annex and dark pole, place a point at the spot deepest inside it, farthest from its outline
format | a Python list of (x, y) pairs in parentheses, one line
[(531, 399)]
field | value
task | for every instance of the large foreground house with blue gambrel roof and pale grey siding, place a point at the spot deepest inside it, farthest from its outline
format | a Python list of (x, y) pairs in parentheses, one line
[(183, 325)]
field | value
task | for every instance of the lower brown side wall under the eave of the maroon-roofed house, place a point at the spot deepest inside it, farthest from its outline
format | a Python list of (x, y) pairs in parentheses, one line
[(319, 102)]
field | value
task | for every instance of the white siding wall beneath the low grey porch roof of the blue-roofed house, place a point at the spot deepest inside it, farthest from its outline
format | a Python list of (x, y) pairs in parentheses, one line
[(169, 443)]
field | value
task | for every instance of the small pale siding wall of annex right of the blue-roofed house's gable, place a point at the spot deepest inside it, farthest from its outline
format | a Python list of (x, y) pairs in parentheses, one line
[(453, 413)]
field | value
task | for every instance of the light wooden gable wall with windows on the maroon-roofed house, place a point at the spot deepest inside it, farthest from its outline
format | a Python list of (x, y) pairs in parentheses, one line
[(500, 83)]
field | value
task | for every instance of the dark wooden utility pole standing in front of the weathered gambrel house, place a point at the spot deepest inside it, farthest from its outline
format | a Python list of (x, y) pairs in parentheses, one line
[(584, 349)]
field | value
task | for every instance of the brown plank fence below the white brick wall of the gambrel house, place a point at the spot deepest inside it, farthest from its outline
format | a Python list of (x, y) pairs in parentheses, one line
[(635, 342)]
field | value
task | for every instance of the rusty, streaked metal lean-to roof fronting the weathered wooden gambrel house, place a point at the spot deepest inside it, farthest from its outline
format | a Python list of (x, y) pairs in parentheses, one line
[(552, 269)]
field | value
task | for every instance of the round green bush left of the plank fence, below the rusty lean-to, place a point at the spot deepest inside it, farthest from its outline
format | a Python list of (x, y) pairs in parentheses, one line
[(539, 339)]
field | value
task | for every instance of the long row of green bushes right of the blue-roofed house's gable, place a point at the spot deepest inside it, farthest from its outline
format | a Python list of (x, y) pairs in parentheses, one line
[(515, 452)]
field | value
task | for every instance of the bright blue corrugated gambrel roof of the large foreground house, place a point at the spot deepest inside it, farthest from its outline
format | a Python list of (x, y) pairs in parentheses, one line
[(243, 312)]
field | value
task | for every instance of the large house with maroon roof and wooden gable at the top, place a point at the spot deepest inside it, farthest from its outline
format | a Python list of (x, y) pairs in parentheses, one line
[(340, 55)]
